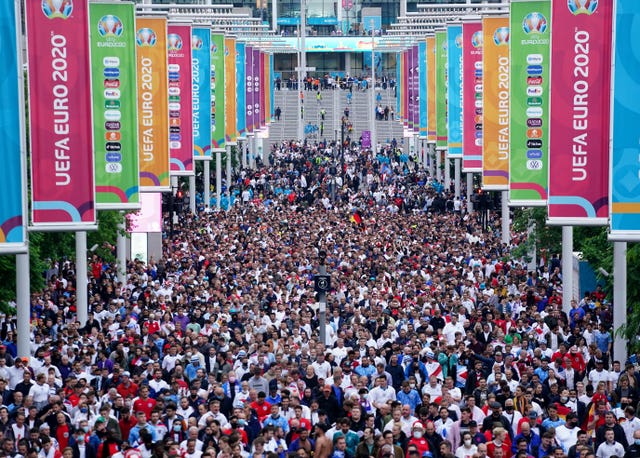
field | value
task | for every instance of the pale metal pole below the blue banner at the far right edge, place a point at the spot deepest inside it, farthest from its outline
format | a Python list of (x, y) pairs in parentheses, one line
[(619, 298)]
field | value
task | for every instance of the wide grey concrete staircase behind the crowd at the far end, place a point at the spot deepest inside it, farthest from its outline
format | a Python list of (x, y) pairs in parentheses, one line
[(334, 102)]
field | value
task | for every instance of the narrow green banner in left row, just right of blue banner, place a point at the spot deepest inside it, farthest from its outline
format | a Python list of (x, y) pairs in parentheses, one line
[(217, 93)]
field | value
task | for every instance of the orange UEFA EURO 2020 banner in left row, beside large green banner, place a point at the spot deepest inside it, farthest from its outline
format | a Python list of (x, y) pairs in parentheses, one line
[(153, 109)]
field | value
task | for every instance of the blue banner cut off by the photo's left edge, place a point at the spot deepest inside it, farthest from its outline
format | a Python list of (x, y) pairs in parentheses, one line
[(12, 224)]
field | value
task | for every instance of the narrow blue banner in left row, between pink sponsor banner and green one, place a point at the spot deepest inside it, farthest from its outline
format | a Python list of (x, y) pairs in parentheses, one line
[(201, 91)]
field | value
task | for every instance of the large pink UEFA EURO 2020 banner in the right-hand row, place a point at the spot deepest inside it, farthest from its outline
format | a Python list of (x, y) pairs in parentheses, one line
[(580, 107)]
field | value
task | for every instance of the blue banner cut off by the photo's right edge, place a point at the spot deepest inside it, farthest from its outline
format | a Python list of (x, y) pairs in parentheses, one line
[(624, 163)]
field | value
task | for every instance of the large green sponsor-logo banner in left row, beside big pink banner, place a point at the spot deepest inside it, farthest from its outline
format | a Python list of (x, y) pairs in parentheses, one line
[(115, 129)]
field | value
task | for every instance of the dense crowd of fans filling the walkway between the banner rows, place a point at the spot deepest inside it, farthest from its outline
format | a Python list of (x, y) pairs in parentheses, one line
[(438, 341)]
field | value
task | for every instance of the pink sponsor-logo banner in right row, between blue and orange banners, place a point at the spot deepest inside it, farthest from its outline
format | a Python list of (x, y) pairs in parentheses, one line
[(472, 74)]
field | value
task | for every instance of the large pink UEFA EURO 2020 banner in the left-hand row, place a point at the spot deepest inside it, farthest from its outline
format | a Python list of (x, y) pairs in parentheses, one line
[(62, 177)]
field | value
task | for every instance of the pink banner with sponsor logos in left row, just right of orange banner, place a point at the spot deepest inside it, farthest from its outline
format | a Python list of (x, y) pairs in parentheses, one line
[(180, 99)]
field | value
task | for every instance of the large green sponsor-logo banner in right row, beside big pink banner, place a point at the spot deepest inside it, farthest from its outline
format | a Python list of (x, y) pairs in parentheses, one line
[(529, 117)]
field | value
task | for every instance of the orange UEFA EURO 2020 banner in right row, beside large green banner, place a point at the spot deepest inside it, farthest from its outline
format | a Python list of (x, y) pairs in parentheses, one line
[(495, 97)]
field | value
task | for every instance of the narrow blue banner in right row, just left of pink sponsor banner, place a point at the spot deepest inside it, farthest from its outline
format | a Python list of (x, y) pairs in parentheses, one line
[(454, 91)]
